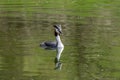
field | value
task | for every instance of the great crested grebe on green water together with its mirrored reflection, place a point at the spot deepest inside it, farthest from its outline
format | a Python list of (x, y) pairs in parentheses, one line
[(55, 45)]
